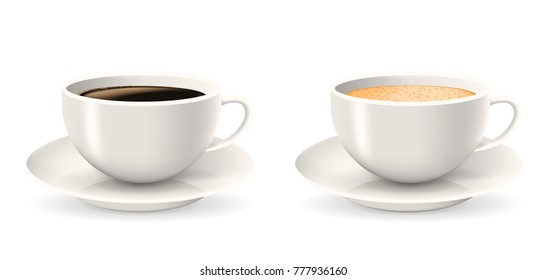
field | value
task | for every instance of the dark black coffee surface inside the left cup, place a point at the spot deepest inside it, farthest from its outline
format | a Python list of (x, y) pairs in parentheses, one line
[(141, 93)]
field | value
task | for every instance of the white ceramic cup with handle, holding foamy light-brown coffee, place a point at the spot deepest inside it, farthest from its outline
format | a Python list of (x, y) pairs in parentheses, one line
[(412, 142)]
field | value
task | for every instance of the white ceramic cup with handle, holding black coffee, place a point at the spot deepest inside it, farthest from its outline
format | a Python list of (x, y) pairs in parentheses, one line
[(148, 141)]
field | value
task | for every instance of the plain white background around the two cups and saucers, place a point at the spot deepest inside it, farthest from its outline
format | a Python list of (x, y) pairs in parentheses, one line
[(283, 56)]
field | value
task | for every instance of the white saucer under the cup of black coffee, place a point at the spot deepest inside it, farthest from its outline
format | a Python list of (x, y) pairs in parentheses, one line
[(60, 166)]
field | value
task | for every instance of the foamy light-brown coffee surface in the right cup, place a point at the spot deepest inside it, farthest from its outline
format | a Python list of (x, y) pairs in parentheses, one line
[(410, 93)]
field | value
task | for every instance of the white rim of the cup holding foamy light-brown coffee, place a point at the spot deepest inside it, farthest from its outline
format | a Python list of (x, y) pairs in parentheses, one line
[(483, 89)]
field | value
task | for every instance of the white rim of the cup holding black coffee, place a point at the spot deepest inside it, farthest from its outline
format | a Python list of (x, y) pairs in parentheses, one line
[(208, 95)]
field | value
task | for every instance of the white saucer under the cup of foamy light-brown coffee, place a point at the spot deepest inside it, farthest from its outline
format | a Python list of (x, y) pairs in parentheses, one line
[(328, 165)]
